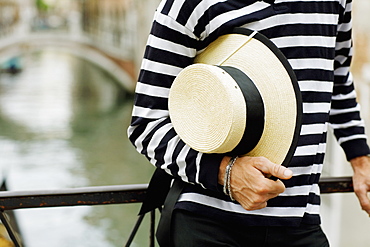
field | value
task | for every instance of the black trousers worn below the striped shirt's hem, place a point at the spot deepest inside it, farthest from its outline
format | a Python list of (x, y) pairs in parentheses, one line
[(188, 230)]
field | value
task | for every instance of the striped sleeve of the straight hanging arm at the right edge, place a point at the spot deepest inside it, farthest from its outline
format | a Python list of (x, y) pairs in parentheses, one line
[(345, 118)]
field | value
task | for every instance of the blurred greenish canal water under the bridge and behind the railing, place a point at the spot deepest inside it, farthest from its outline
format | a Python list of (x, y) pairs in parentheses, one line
[(63, 125)]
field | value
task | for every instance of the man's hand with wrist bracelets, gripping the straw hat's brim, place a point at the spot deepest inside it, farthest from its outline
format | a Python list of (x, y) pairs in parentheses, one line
[(250, 183)]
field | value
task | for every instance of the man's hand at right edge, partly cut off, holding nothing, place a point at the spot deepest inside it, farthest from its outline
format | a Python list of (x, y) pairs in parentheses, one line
[(361, 180)]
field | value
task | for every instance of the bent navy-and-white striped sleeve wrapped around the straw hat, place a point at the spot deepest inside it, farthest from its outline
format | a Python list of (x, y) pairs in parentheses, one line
[(171, 47)]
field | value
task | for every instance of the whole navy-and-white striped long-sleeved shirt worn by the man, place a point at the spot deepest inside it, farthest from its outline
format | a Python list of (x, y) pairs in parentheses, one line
[(314, 35)]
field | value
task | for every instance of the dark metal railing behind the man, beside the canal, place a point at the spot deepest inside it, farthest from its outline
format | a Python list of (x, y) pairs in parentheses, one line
[(104, 195)]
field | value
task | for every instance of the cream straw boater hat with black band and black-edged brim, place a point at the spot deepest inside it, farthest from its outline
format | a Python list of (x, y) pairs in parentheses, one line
[(240, 97)]
